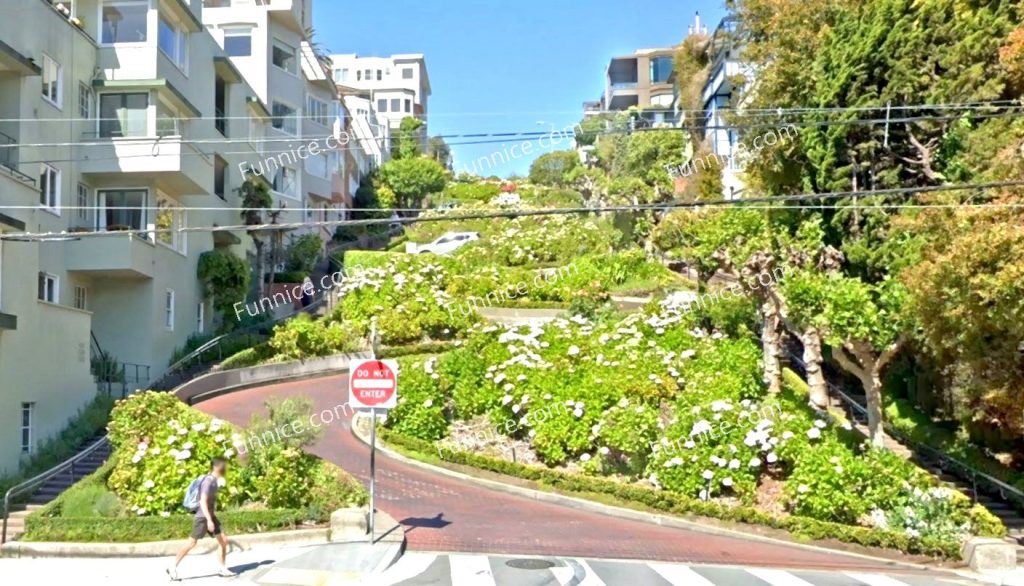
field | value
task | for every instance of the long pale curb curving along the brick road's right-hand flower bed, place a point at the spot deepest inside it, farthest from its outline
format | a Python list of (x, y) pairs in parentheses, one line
[(610, 511)]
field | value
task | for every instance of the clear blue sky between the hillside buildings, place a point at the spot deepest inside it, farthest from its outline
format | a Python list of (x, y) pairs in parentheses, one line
[(500, 66)]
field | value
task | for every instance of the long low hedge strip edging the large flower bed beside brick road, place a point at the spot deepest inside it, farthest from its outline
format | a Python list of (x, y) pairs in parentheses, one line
[(678, 505)]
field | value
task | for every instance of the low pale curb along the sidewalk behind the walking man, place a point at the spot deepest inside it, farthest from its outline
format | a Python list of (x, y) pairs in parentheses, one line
[(162, 549)]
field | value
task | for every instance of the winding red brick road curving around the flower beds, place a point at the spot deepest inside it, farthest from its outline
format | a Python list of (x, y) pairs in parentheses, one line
[(443, 515)]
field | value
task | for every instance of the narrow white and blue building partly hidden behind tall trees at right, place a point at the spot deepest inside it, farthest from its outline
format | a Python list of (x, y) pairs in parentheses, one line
[(726, 56)]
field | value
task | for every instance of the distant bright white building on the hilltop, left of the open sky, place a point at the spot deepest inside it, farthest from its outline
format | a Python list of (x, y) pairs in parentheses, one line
[(397, 87)]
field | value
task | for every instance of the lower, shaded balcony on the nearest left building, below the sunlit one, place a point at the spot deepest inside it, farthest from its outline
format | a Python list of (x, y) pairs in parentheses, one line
[(126, 257)]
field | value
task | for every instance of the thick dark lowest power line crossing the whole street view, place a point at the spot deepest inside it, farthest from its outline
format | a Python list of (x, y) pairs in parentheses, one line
[(65, 236)]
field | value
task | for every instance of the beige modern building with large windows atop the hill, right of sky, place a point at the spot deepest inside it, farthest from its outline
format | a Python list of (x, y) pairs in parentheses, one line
[(645, 80)]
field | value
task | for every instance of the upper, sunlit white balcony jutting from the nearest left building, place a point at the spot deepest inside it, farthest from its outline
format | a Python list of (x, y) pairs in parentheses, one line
[(178, 166)]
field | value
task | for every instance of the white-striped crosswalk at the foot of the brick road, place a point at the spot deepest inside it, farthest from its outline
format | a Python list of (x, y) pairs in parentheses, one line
[(416, 569)]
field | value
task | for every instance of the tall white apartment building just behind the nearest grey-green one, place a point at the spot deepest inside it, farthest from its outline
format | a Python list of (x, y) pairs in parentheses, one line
[(267, 40)]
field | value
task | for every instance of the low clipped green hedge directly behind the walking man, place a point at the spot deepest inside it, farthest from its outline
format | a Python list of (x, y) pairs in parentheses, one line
[(135, 530)]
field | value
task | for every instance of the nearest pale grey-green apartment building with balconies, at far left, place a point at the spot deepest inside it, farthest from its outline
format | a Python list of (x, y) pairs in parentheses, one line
[(116, 115)]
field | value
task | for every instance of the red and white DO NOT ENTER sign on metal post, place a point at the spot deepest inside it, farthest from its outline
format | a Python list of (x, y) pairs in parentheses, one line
[(373, 385)]
